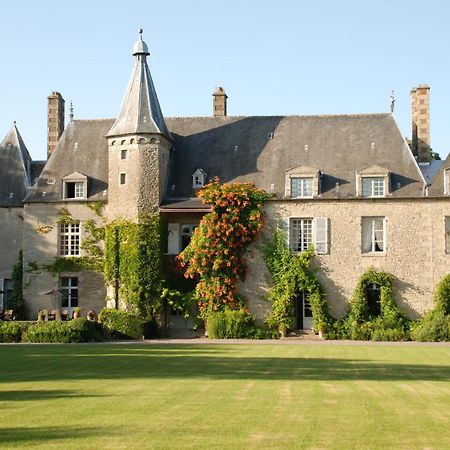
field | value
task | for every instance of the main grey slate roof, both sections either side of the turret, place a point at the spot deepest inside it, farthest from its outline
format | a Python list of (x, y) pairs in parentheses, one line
[(258, 149)]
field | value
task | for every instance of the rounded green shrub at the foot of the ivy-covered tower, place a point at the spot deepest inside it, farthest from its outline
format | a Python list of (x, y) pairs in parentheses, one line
[(121, 324)]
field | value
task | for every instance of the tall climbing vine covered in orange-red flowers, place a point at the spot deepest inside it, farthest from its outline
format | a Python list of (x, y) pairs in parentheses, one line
[(216, 253)]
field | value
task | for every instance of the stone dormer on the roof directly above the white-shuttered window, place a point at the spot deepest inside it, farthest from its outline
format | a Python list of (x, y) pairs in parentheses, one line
[(302, 182)]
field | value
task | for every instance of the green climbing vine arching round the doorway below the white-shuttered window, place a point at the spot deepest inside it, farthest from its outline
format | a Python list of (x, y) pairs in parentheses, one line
[(291, 274)]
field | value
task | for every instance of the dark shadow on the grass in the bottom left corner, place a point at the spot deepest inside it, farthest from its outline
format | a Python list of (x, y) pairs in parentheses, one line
[(42, 434)]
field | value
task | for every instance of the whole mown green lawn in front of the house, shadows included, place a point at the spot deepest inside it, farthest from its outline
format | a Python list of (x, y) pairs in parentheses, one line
[(225, 396)]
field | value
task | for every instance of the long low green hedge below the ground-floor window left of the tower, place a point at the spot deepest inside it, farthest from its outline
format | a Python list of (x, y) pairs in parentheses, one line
[(76, 330)]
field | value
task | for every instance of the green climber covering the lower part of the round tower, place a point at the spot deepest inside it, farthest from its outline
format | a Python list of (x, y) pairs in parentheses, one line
[(133, 264)]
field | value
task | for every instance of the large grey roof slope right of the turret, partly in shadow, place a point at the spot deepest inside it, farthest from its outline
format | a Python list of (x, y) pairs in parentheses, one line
[(242, 149)]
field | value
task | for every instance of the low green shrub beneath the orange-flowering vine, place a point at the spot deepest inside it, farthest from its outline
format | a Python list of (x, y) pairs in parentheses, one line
[(234, 324)]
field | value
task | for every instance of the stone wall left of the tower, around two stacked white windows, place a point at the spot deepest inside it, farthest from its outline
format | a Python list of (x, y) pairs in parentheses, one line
[(42, 248)]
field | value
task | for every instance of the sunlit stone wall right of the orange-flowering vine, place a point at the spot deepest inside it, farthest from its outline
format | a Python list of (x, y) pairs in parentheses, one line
[(415, 250)]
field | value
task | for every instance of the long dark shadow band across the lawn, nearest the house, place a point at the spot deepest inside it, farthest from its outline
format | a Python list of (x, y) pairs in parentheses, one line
[(48, 363)]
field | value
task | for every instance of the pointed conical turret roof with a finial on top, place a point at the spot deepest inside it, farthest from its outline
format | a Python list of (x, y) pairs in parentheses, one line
[(140, 111)]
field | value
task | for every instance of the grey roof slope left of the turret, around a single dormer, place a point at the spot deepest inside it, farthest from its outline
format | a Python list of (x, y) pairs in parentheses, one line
[(81, 148)]
